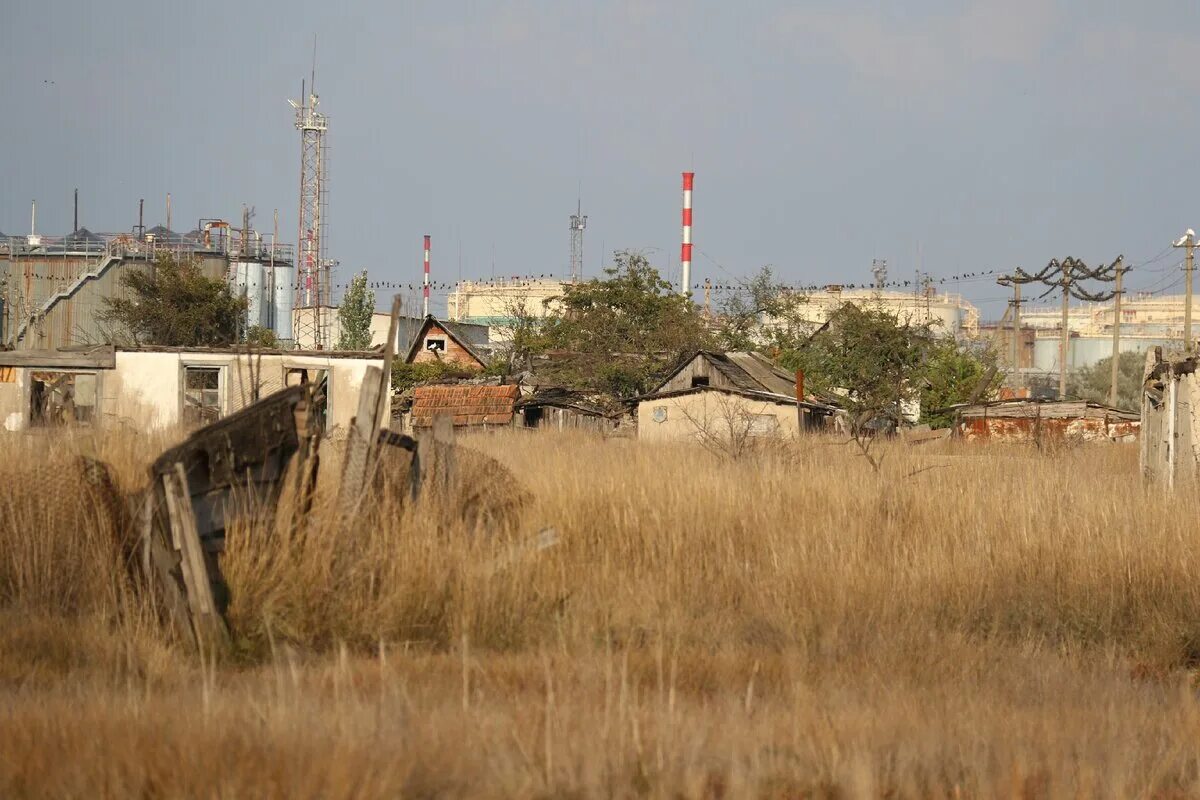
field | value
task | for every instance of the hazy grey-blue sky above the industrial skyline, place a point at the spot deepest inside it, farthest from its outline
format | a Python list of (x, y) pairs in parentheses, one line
[(952, 137)]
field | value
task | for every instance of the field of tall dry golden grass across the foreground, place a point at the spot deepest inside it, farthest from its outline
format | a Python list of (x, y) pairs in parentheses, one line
[(970, 622)]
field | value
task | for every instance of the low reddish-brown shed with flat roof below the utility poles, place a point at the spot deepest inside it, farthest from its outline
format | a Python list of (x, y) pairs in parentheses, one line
[(1037, 422)]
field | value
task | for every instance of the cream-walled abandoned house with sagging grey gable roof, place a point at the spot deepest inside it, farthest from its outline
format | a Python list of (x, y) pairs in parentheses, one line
[(727, 396)]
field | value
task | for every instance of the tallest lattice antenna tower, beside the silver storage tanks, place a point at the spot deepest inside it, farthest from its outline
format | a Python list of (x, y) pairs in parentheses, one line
[(314, 280)]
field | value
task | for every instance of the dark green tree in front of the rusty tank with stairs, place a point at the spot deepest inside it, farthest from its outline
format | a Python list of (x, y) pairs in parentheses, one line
[(176, 305)]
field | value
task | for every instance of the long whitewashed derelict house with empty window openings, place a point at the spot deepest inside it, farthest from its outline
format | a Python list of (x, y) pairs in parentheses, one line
[(155, 388)]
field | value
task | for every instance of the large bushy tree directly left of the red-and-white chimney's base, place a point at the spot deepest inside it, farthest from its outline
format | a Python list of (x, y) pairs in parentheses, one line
[(622, 332)]
